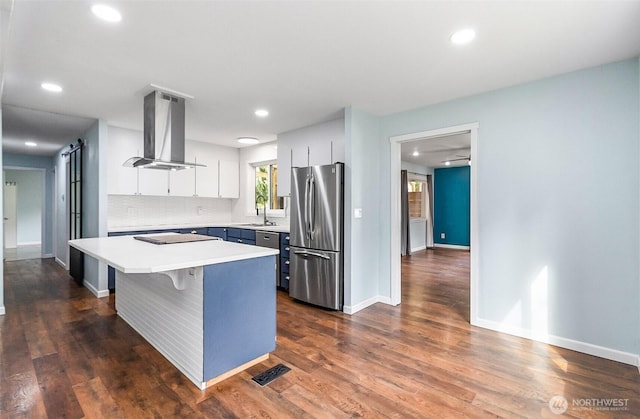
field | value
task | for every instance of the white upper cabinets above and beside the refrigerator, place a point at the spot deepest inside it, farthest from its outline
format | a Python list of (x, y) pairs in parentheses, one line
[(310, 146)]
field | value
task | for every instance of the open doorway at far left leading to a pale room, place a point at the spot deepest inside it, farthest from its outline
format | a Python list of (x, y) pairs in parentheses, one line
[(23, 192)]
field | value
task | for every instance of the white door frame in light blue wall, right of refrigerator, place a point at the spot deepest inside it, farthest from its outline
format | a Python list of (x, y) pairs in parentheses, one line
[(396, 274)]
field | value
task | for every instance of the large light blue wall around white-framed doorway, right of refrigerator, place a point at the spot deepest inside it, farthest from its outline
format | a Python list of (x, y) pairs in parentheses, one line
[(558, 202)]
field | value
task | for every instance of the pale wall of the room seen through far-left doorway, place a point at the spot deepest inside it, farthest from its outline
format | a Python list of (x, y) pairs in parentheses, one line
[(29, 204)]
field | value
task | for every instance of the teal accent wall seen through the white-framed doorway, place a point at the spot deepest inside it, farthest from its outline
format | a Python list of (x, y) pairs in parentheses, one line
[(451, 205)]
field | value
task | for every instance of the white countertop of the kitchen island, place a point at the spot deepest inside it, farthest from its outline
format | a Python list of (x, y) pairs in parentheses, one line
[(134, 256)]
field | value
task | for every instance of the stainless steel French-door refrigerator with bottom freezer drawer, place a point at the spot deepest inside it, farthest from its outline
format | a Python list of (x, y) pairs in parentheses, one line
[(316, 237)]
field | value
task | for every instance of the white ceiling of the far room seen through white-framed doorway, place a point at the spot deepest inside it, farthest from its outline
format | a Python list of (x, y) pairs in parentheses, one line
[(434, 152)]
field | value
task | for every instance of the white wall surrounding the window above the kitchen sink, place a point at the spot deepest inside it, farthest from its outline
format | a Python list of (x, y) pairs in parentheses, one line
[(244, 208)]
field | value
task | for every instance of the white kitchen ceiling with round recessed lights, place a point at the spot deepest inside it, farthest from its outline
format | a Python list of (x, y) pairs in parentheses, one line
[(304, 61)]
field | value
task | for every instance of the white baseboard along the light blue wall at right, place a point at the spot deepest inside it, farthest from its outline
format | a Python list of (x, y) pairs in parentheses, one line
[(574, 345)]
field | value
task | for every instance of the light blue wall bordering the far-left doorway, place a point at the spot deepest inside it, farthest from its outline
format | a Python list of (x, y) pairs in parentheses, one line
[(46, 163)]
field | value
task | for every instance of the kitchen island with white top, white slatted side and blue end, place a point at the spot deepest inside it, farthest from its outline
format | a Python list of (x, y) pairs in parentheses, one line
[(209, 307)]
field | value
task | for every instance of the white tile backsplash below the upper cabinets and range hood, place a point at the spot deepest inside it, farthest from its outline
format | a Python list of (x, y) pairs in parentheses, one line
[(131, 211)]
